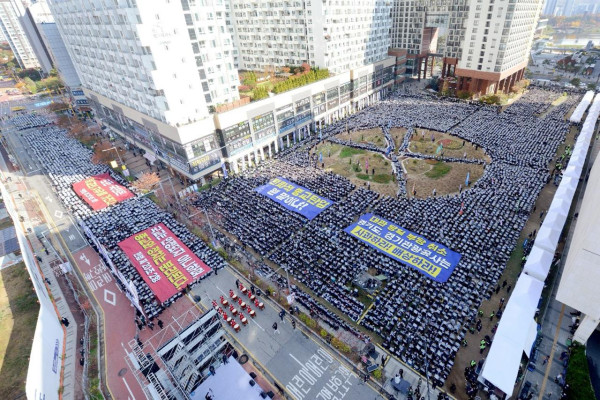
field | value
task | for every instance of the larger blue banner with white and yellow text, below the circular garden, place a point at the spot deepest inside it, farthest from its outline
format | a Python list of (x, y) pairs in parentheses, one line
[(429, 258)]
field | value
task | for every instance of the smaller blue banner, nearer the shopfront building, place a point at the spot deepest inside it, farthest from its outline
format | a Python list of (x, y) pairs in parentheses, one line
[(294, 198)]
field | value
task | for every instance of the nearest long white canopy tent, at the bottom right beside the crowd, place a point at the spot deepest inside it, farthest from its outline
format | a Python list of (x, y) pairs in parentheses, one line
[(514, 334)]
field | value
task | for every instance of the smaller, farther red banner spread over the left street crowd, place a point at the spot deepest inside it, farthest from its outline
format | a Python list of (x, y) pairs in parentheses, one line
[(101, 191)]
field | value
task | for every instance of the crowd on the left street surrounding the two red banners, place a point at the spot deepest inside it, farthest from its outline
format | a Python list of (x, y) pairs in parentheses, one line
[(66, 162)]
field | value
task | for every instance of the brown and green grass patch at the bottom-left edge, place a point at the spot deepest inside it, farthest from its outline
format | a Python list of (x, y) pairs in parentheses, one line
[(18, 318)]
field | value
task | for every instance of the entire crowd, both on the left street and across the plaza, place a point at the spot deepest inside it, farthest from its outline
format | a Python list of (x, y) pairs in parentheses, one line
[(421, 321)]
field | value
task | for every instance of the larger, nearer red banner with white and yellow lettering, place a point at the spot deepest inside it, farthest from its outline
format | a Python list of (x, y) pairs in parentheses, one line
[(166, 265)]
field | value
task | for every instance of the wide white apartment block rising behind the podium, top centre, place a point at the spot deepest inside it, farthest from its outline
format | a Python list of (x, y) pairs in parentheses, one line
[(338, 35)]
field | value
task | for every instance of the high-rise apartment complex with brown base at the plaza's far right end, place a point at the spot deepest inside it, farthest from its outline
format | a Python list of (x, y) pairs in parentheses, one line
[(487, 43)]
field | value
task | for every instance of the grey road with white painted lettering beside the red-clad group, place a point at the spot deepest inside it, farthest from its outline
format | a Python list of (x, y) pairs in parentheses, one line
[(305, 368)]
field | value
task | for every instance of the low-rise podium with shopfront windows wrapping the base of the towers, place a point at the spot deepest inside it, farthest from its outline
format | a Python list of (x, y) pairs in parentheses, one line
[(239, 138)]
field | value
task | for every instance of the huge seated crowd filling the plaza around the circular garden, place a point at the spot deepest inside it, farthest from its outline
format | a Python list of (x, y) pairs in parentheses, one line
[(423, 322)]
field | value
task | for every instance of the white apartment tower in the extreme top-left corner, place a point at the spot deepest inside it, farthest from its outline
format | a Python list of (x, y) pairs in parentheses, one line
[(11, 11)]
